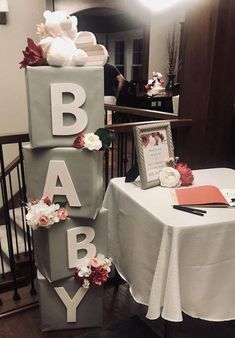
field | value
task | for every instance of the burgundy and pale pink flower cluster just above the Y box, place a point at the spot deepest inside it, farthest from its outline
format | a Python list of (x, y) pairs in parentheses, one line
[(94, 271)]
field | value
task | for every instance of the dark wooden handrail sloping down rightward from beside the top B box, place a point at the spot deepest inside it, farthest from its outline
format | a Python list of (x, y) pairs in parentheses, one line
[(140, 112)]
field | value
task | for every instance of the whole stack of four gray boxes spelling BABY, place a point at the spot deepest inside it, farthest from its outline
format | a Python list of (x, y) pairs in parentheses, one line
[(53, 167)]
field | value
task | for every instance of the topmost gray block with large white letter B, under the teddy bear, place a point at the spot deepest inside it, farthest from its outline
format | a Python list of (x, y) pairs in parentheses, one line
[(63, 102)]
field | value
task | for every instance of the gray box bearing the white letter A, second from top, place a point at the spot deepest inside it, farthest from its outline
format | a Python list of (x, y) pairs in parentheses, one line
[(84, 167)]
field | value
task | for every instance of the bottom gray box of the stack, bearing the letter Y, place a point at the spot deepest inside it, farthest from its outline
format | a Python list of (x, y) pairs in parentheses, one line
[(54, 313)]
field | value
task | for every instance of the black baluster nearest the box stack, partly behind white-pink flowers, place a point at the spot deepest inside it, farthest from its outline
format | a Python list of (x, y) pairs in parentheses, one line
[(31, 263)]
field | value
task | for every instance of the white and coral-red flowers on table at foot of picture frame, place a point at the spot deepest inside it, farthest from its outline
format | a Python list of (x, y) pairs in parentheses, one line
[(175, 174)]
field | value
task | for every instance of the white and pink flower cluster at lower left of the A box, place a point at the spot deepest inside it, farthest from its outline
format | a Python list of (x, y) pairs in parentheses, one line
[(44, 213)]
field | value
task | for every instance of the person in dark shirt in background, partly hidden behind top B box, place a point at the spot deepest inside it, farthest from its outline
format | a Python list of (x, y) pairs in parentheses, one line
[(113, 84)]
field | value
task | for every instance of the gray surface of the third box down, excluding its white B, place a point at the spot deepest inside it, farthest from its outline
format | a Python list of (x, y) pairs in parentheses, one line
[(51, 246)]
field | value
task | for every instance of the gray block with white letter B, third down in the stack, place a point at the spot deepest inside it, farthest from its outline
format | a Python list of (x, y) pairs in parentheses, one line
[(61, 248)]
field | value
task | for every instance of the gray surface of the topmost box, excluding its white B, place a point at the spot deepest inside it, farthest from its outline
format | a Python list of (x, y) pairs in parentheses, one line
[(38, 84)]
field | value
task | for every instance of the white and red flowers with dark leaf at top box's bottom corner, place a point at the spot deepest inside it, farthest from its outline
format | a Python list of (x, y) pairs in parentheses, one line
[(100, 140)]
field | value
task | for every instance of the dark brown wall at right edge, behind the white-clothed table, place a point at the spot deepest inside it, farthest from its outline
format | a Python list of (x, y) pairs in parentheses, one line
[(208, 85)]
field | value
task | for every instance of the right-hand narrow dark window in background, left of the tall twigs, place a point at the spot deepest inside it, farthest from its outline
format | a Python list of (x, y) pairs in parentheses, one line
[(137, 60)]
